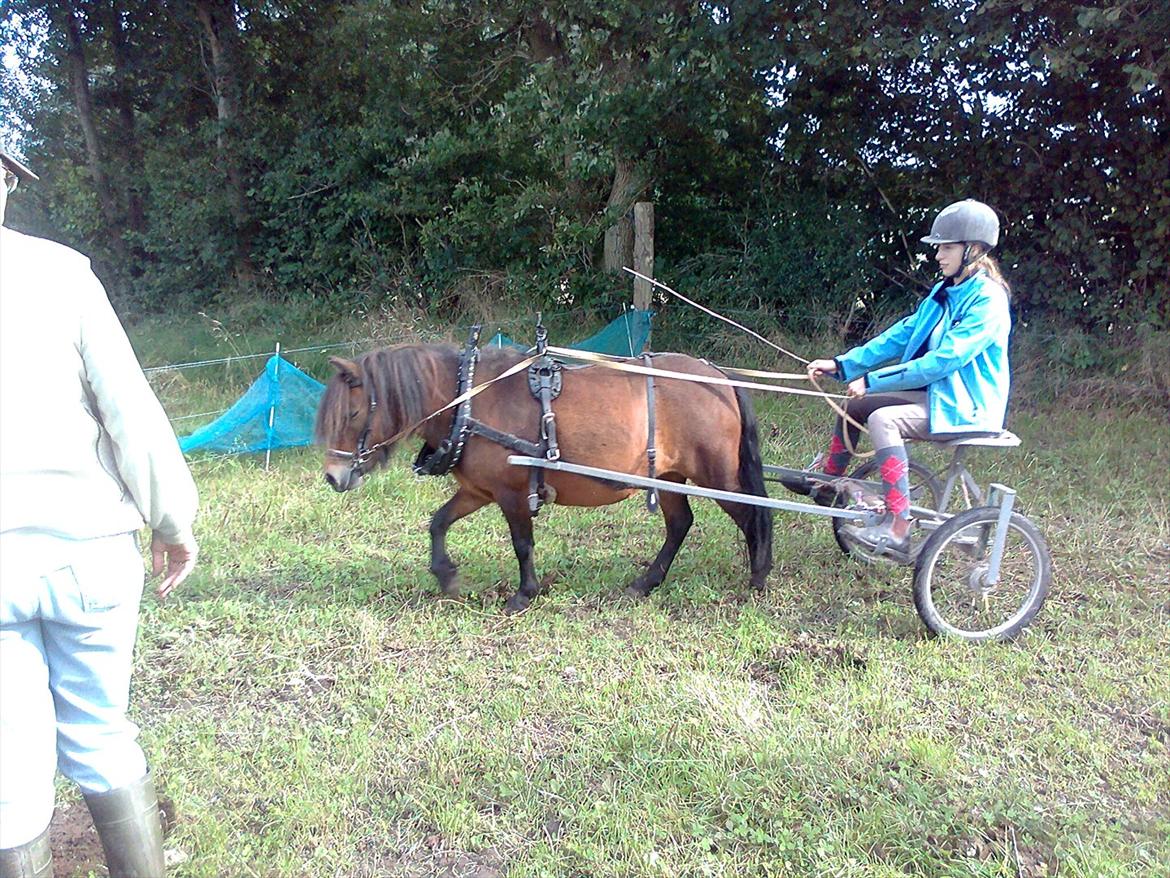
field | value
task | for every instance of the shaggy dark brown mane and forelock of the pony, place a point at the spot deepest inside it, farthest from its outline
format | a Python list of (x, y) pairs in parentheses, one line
[(402, 381)]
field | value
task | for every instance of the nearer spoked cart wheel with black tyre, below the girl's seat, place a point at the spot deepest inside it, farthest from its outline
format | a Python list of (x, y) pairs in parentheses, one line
[(951, 589)]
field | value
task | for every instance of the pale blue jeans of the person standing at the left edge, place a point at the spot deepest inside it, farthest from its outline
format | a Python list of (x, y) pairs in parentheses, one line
[(67, 643)]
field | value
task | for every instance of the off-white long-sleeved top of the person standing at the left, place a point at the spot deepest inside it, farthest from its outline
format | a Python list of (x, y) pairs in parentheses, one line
[(86, 449)]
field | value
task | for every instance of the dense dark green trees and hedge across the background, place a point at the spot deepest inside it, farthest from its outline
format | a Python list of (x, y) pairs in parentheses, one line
[(795, 150)]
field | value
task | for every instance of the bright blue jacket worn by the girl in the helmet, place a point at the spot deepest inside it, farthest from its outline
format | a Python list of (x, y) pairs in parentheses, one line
[(965, 371)]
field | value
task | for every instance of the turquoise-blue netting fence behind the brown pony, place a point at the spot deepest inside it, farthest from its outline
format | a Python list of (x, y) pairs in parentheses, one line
[(280, 408)]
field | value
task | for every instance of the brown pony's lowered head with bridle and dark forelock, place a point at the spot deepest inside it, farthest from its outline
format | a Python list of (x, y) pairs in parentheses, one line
[(369, 406)]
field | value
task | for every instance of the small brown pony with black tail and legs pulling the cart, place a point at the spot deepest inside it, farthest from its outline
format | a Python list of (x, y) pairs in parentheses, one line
[(706, 434)]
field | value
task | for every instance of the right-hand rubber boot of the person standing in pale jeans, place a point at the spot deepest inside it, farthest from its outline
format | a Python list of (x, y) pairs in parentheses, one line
[(132, 832)]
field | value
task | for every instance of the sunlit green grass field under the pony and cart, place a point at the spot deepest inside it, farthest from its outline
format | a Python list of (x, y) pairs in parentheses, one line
[(314, 708)]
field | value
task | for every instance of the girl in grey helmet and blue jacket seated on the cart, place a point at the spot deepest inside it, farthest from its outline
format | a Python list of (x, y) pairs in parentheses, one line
[(939, 374)]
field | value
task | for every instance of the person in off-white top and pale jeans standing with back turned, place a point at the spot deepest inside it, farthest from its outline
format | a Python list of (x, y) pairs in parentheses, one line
[(87, 456)]
